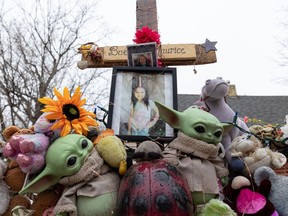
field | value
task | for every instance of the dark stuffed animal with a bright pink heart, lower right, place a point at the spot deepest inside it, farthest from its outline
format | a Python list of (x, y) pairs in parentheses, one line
[(245, 198)]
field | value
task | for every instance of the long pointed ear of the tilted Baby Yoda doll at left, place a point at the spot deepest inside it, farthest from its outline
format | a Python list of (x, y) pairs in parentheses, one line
[(42, 182)]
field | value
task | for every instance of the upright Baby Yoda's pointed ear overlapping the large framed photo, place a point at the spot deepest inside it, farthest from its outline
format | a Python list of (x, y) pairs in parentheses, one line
[(169, 115)]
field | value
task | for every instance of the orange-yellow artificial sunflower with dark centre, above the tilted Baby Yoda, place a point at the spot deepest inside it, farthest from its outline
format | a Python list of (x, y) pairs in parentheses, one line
[(69, 112)]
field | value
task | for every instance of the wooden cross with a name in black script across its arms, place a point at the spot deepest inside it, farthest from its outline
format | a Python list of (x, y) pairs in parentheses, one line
[(170, 54)]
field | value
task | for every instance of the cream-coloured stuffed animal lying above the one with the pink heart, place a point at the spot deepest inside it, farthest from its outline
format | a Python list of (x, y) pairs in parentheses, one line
[(250, 150)]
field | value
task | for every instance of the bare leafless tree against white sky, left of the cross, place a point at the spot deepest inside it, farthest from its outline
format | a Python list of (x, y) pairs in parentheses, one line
[(38, 51)]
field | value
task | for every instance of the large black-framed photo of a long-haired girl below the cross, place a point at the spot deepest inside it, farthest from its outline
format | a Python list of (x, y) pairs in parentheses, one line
[(133, 115)]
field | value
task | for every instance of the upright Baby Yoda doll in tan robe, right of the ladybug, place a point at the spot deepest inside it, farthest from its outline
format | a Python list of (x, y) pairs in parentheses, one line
[(196, 149)]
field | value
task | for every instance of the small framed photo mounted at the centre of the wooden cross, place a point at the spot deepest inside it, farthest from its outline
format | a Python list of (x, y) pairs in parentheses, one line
[(142, 55)]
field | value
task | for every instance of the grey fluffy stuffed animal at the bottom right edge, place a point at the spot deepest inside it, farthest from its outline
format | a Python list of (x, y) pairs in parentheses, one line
[(278, 194)]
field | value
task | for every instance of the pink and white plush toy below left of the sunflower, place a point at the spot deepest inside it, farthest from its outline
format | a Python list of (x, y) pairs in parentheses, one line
[(28, 146)]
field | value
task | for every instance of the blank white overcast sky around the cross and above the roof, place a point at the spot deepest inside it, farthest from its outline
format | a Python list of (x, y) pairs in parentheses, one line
[(247, 34)]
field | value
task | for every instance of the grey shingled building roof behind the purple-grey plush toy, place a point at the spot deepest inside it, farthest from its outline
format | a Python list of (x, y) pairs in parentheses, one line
[(270, 109)]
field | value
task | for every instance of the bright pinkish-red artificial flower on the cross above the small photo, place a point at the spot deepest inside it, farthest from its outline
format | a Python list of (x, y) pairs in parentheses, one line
[(146, 35)]
